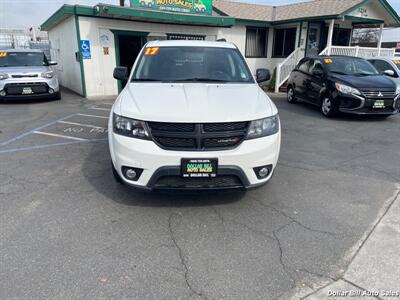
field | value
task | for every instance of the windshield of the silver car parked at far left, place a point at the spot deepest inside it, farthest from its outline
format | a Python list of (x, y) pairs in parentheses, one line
[(20, 59)]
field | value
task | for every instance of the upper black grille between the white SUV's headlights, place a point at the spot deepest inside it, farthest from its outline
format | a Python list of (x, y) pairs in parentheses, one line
[(198, 137)]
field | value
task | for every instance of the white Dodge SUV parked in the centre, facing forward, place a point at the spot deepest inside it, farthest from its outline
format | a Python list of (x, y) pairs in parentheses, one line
[(191, 116)]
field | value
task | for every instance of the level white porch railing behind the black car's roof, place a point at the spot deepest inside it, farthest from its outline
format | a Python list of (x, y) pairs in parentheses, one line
[(358, 51)]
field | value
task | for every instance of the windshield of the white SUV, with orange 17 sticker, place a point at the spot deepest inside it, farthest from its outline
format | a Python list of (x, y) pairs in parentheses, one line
[(192, 64)]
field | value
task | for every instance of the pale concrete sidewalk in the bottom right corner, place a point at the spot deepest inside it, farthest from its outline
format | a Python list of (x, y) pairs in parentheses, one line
[(374, 272)]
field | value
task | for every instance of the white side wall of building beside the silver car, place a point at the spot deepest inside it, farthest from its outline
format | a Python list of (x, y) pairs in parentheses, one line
[(64, 44)]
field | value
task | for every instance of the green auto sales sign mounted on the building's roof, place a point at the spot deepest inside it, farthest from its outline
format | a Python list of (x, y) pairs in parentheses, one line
[(180, 6)]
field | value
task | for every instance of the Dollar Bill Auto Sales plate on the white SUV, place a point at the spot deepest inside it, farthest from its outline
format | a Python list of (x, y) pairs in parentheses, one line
[(199, 167)]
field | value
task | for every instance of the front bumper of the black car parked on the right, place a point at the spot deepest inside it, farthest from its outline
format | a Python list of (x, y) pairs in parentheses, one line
[(363, 106)]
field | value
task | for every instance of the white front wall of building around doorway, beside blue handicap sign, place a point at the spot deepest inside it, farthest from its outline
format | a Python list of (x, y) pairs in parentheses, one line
[(99, 69)]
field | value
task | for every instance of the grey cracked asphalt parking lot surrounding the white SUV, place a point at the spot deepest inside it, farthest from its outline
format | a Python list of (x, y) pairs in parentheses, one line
[(69, 231)]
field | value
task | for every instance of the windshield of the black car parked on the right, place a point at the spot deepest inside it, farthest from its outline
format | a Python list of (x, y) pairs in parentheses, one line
[(350, 66)]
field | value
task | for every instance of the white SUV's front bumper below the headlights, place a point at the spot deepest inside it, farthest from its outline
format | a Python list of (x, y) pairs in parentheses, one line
[(161, 168)]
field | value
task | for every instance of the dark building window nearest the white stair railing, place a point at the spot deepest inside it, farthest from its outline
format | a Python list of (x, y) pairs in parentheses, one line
[(284, 41)]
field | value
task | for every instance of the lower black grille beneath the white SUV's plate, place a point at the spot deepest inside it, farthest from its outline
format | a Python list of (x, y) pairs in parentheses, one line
[(222, 181)]
